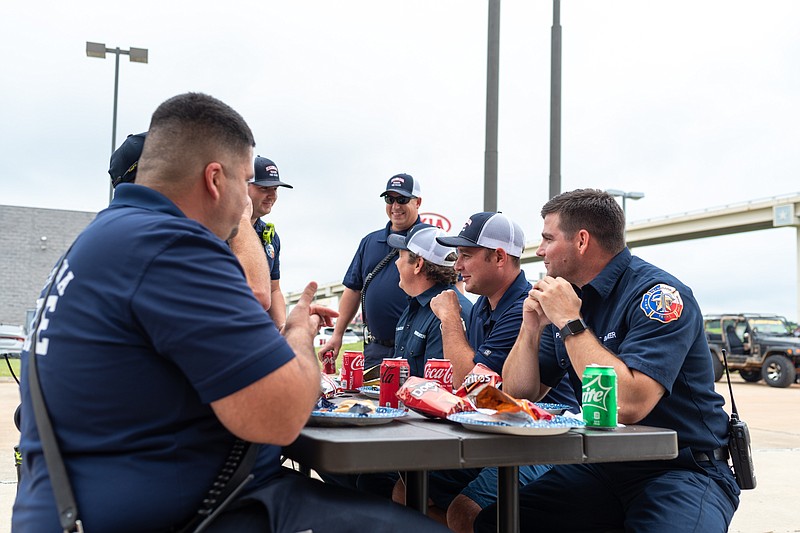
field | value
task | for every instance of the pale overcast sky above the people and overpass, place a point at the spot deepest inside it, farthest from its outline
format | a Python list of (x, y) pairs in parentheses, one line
[(696, 104)]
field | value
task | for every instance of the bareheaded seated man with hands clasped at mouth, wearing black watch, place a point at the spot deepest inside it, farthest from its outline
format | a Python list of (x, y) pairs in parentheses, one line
[(600, 305)]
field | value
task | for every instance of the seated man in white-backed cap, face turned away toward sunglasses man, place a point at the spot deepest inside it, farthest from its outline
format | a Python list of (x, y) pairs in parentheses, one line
[(426, 269)]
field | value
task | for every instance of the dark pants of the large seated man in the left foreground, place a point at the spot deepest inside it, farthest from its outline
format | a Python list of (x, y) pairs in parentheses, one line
[(293, 503)]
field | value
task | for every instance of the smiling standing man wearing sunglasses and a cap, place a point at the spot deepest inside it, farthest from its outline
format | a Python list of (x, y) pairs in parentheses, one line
[(372, 280)]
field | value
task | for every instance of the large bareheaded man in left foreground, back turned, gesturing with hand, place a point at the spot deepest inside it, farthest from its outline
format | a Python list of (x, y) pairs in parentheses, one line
[(154, 357)]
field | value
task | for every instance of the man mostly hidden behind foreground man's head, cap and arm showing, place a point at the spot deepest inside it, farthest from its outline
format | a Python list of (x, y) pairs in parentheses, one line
[(247, 248)]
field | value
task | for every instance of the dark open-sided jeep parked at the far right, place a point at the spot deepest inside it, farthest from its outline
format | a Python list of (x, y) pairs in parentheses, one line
[(759, 346)]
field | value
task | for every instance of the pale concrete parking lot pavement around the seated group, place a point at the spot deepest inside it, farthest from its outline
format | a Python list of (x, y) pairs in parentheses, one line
[(773, 416)]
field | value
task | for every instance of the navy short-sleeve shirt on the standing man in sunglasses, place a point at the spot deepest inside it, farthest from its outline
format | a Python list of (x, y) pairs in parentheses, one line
[(385, 300)]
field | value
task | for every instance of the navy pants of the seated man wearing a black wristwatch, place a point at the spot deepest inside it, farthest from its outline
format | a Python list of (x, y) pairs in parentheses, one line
[(653, 496)]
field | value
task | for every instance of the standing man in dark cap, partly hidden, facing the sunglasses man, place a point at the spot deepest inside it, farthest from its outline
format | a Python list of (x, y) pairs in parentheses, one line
[(263, 192)]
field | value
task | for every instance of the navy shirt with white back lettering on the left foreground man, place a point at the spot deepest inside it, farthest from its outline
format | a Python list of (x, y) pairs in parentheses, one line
[(149, 320)]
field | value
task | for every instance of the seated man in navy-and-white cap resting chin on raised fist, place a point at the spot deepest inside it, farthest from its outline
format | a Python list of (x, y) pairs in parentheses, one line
[(489, 247)]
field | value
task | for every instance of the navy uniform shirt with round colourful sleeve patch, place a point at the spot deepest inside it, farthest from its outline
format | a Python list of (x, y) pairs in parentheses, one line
[(652, 322)]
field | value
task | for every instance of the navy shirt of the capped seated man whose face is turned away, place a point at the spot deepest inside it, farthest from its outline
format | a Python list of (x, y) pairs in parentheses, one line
[(418, 336)]
